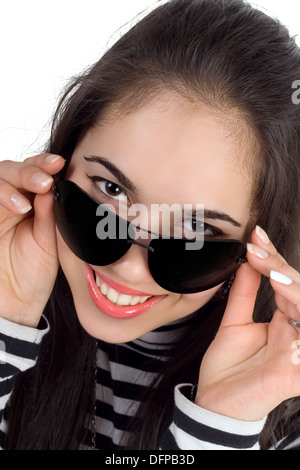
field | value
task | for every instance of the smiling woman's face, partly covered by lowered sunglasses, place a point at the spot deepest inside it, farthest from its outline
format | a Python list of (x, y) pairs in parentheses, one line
[(167, 152)]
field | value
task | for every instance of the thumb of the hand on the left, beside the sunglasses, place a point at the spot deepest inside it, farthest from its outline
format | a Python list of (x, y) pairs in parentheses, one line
[(44, 224)]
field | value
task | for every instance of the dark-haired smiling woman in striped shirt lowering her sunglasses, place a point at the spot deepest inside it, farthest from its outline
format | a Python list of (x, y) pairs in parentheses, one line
[(193, 105)]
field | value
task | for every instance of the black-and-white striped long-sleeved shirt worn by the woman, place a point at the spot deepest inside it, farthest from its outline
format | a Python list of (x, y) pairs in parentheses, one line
[(123, 372)]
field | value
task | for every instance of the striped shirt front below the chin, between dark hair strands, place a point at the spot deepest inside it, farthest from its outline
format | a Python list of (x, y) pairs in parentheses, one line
[(124, 373)]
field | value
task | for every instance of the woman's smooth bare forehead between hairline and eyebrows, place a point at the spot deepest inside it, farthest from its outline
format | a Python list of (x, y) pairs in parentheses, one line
[(174, 151)]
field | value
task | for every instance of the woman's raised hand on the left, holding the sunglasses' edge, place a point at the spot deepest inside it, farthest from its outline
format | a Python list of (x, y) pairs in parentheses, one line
[(28, 253)]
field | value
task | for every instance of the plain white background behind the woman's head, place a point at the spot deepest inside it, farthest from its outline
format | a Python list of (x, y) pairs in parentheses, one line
[(45, 42)]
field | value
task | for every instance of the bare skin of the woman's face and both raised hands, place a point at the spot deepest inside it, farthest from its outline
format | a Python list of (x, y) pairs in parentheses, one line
[(186, 157)]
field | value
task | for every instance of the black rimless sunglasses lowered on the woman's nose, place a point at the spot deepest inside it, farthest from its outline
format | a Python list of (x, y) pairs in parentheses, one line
[(171, 265)]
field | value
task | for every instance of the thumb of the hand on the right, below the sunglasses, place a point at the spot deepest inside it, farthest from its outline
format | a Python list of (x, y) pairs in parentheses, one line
[(242, 297)]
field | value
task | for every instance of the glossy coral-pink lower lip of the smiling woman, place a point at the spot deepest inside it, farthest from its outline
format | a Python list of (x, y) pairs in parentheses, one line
[(112, 310)]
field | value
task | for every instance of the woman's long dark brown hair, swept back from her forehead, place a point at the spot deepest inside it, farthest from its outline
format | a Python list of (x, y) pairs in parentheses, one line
[(231, 57)]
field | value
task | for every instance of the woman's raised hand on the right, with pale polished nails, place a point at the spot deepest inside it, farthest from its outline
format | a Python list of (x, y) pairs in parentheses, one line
[(249, 369)]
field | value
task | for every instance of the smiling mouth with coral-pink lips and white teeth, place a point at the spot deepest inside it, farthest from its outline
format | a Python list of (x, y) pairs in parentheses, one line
[(115, 300)]
